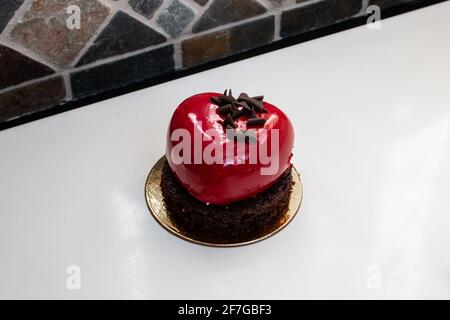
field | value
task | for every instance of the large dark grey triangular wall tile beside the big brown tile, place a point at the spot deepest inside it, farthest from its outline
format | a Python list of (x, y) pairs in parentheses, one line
[(123, 34)]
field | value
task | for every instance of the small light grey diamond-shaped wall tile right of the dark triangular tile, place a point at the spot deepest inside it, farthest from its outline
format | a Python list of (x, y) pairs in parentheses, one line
[(175, 18)]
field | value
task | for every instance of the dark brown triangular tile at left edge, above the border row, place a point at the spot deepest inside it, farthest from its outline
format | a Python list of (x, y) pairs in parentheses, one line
[(17, 68)]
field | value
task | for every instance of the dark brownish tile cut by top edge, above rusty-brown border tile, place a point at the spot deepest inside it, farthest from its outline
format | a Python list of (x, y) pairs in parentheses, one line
[(225, 11)]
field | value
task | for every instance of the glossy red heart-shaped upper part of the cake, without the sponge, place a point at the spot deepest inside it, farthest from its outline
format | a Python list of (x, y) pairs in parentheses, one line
[(235, 177)]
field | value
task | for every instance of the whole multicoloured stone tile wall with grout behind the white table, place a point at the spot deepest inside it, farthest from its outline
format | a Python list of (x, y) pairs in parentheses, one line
[(56, 51)]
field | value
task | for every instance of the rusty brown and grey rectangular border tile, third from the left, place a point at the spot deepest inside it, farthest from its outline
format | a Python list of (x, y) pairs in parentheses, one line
[(226, 42)]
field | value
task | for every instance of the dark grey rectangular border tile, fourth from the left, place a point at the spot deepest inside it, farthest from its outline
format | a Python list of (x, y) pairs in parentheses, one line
[(316, 15)]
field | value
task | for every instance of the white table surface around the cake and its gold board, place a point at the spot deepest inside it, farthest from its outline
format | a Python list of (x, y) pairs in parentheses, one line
[(372, 119)]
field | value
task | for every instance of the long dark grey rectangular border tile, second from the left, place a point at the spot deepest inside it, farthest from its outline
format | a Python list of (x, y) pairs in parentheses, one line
[(123, 72)]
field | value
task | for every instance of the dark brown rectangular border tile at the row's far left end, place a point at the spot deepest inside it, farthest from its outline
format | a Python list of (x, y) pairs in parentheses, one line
[(31, 98)]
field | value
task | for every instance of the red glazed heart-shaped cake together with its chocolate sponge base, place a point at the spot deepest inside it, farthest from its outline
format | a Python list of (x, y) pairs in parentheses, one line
[(228, 168)]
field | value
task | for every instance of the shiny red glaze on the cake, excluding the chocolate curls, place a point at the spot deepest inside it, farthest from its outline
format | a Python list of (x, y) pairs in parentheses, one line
[(233, 180)]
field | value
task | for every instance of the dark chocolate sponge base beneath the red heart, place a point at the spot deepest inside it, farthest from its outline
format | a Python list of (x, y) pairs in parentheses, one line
[(236, 222)]
